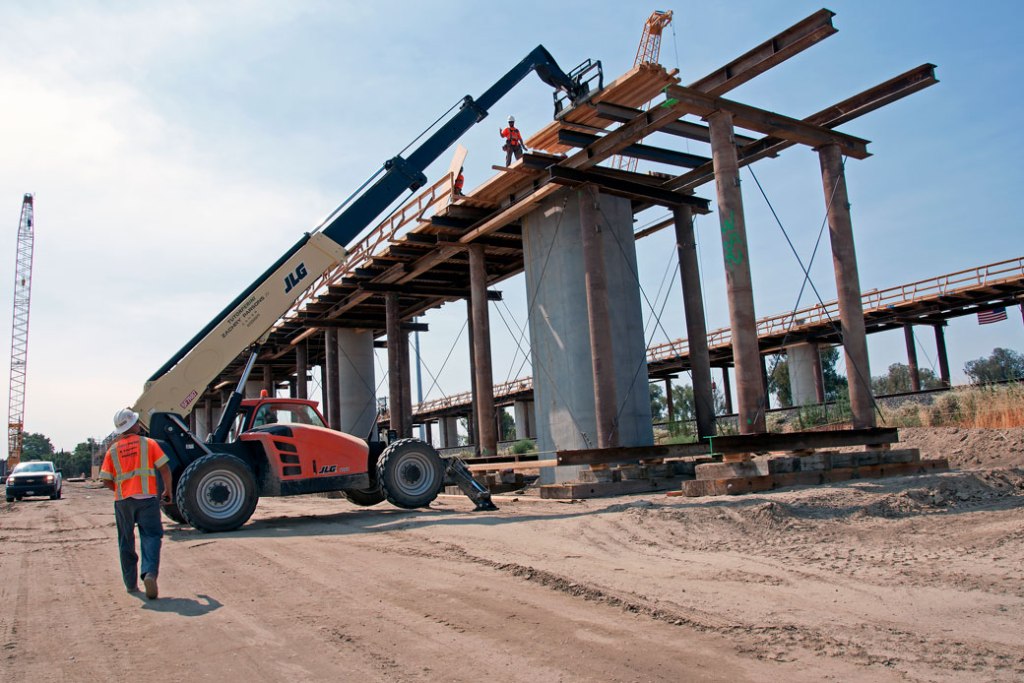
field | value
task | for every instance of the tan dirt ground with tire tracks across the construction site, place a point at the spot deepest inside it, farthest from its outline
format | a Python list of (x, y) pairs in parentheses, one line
[(911, 579)]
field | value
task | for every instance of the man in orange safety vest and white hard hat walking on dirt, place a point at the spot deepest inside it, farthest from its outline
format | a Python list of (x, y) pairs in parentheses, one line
[(130, 469)]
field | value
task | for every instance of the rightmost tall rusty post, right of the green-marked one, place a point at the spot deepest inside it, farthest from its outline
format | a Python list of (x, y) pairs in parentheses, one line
[(851, 311)]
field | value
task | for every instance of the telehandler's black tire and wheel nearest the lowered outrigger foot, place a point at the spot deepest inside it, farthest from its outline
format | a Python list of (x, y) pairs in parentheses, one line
[(411, 474)]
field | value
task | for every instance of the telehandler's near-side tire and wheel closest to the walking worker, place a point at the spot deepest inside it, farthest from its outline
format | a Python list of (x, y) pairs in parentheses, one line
[(218, 493)]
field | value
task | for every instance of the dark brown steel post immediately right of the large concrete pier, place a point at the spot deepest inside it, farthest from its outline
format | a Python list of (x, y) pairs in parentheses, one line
[(697, 327)]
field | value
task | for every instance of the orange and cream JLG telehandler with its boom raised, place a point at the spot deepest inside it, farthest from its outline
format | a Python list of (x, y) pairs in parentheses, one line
[(220, 481)]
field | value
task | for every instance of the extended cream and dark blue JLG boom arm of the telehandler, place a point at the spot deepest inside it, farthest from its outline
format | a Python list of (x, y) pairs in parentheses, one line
[(177, 387)]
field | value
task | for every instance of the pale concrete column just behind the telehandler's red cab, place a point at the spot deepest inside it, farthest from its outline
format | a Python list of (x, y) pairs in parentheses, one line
[(357, 396)]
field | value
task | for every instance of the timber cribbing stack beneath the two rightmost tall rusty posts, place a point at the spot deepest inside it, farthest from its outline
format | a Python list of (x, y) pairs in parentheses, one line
[(906, 462)]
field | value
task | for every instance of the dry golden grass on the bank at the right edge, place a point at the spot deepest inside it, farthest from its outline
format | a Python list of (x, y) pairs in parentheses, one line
[(988, 408)]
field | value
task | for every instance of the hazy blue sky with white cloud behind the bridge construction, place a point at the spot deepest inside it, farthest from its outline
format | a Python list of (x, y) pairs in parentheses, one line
[(177, 149)]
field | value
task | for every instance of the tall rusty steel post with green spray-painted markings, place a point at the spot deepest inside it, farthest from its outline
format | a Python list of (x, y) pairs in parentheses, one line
[(740, 289)]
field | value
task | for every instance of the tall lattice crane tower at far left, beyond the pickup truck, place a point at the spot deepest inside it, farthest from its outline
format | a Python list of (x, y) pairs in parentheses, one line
[(20, 333)]
